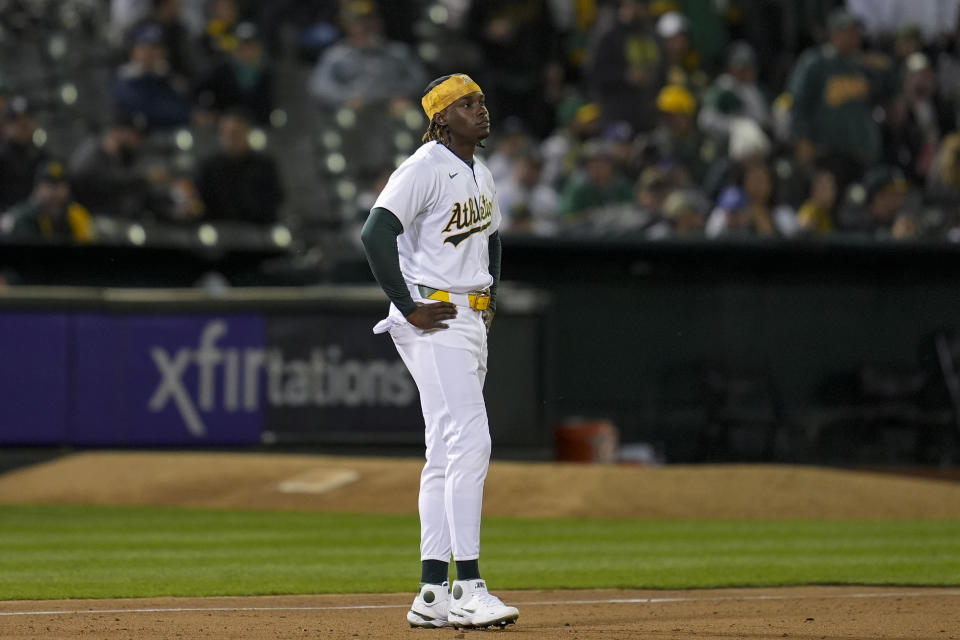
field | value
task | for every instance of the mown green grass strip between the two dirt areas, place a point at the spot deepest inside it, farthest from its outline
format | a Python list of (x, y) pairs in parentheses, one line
[(105, 552)]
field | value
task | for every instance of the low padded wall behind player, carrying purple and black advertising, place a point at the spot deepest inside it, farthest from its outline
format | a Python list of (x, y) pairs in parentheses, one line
[(94, 367)]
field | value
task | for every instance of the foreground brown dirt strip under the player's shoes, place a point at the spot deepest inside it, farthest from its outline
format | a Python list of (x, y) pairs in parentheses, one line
[(809, 613)]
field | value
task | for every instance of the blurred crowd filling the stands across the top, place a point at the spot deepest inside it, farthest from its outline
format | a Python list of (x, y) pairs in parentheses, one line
[(648, 119)]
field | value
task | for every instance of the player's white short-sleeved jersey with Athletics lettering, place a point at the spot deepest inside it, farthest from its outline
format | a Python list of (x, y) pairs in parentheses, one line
[(448, 212)]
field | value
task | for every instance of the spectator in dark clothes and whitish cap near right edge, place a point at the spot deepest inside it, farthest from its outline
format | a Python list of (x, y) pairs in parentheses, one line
[(917, 119)]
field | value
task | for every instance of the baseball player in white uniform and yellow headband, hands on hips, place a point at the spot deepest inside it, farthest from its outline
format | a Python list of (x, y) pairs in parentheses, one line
[(432, 243)]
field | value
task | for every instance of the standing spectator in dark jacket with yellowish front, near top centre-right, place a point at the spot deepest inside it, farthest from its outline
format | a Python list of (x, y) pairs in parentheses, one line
[(624, 72)]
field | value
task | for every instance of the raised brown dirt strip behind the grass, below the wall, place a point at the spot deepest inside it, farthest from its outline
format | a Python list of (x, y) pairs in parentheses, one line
[(387, 485)]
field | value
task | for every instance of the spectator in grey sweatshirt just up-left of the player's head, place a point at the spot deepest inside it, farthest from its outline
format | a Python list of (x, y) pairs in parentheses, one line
[(365, 68)]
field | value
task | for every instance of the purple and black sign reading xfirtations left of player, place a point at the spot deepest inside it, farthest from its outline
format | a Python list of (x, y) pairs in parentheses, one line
[(238, 379)]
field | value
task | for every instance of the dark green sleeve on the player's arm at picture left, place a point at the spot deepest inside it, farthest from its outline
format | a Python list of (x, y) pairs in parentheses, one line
[(379, 236)]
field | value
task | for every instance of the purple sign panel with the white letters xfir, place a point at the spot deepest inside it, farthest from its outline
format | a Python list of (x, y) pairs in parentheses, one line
[(163, 380)]
